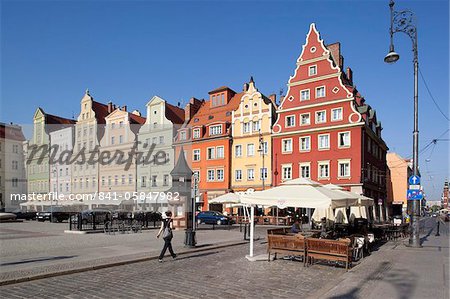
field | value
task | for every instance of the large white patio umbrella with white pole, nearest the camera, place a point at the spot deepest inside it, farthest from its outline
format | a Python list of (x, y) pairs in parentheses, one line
[(300, 193)]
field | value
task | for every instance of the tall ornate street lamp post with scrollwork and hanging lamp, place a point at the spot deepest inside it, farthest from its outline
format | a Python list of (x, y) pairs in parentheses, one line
[(404, 21)]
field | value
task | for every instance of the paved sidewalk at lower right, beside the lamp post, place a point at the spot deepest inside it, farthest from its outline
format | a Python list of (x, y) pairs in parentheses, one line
[(398, 271)]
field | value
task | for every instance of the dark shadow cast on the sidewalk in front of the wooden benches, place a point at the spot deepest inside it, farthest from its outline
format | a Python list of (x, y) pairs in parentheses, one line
[(402, 281)]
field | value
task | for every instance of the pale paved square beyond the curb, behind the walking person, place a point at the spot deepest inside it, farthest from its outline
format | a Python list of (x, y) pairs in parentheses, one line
[(33, 248)]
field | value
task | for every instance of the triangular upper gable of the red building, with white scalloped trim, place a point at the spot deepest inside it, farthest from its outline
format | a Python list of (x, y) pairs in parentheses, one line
[(328, 63)]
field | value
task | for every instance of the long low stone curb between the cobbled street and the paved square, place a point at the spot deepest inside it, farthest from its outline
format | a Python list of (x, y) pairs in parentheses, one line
[(109, 265)]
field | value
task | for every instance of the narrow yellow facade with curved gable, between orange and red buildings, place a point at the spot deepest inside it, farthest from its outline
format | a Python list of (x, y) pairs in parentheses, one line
[(251, 166)]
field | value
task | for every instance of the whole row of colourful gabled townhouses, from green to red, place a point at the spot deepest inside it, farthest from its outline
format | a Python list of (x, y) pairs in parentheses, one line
[(322, 129)]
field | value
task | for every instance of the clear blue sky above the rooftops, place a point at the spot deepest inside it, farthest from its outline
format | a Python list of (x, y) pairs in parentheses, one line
[(128, 51)]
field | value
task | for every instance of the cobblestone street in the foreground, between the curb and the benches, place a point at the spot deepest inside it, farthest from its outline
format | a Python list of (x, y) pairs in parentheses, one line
[(221, 273)]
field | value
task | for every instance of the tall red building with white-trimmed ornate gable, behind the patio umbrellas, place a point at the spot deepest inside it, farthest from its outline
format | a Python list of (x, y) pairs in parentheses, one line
[(324, 129)]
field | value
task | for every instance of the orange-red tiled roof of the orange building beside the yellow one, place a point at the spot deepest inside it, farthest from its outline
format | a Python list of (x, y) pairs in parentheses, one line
[(219, 113)]
